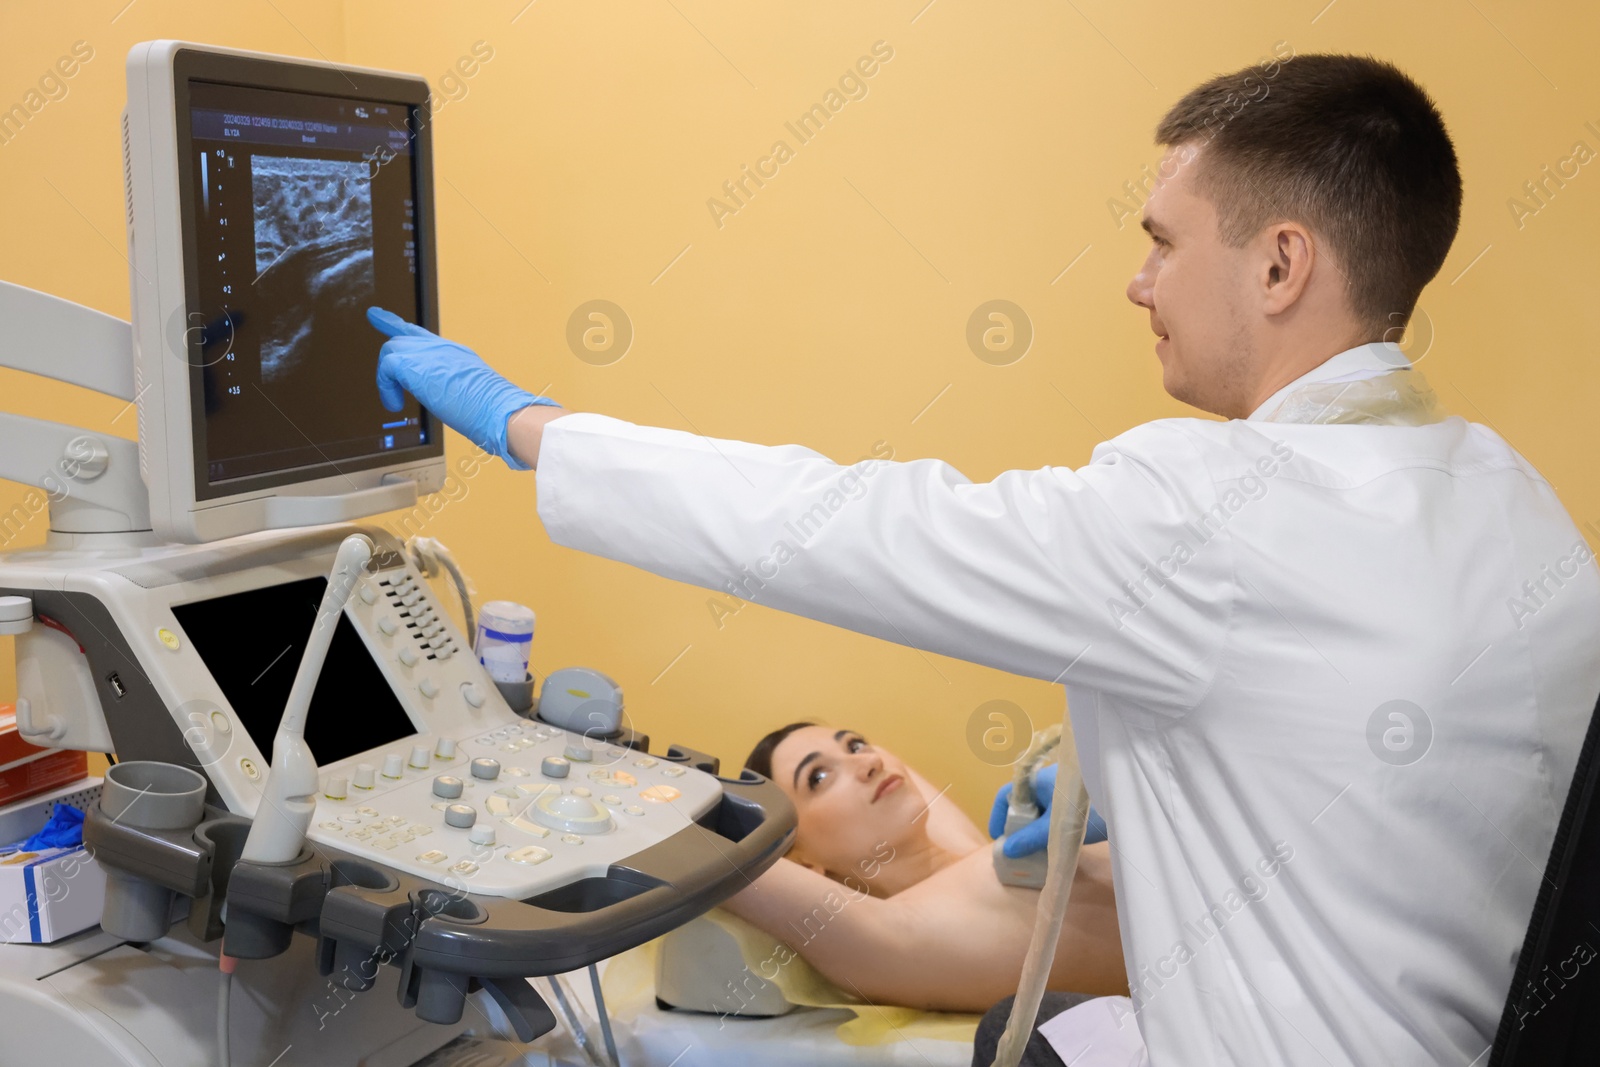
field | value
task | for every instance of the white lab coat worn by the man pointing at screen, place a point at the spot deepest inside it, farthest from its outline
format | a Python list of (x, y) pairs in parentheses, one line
[(1233, 607)]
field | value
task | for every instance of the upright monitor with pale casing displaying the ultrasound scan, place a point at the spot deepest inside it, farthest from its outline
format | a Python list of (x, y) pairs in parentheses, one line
[(271, 202)]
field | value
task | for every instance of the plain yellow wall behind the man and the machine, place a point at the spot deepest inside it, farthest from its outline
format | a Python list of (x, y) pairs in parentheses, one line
[(833, 306)]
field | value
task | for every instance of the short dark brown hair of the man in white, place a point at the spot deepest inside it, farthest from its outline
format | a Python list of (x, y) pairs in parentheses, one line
[(1348, 146)]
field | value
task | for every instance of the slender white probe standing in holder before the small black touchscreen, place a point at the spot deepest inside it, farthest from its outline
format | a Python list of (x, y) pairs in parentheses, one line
[(287, 804)]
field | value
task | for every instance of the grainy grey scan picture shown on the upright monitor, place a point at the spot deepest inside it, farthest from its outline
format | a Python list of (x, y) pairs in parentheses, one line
[(314, 250)]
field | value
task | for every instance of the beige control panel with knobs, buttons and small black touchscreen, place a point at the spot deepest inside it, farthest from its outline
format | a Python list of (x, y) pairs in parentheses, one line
[(423, 767)]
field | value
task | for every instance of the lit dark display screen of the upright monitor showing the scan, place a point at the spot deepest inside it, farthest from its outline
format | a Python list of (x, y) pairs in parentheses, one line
[(305, 214)]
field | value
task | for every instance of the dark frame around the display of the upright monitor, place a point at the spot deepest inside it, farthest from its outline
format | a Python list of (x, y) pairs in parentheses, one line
[(191, 66)]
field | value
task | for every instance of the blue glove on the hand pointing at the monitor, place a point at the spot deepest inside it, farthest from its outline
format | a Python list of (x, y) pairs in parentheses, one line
[(450, 382)]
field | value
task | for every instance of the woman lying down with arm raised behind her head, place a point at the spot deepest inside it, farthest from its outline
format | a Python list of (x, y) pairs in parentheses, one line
[(890, 890)]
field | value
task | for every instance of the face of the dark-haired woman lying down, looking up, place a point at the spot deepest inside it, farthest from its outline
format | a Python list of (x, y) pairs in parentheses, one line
[(852, 799)]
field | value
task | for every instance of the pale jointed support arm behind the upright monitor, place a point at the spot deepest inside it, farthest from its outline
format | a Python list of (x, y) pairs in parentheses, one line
[(89, 482)]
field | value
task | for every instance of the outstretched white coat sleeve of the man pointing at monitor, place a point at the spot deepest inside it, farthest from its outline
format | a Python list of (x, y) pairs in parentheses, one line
[(1074, 577)]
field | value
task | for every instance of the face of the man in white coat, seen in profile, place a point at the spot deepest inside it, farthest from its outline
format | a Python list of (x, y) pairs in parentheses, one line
[(1194, 289)]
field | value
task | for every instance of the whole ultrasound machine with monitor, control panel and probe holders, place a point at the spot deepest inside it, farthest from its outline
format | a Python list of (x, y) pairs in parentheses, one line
[(327, 828)]
